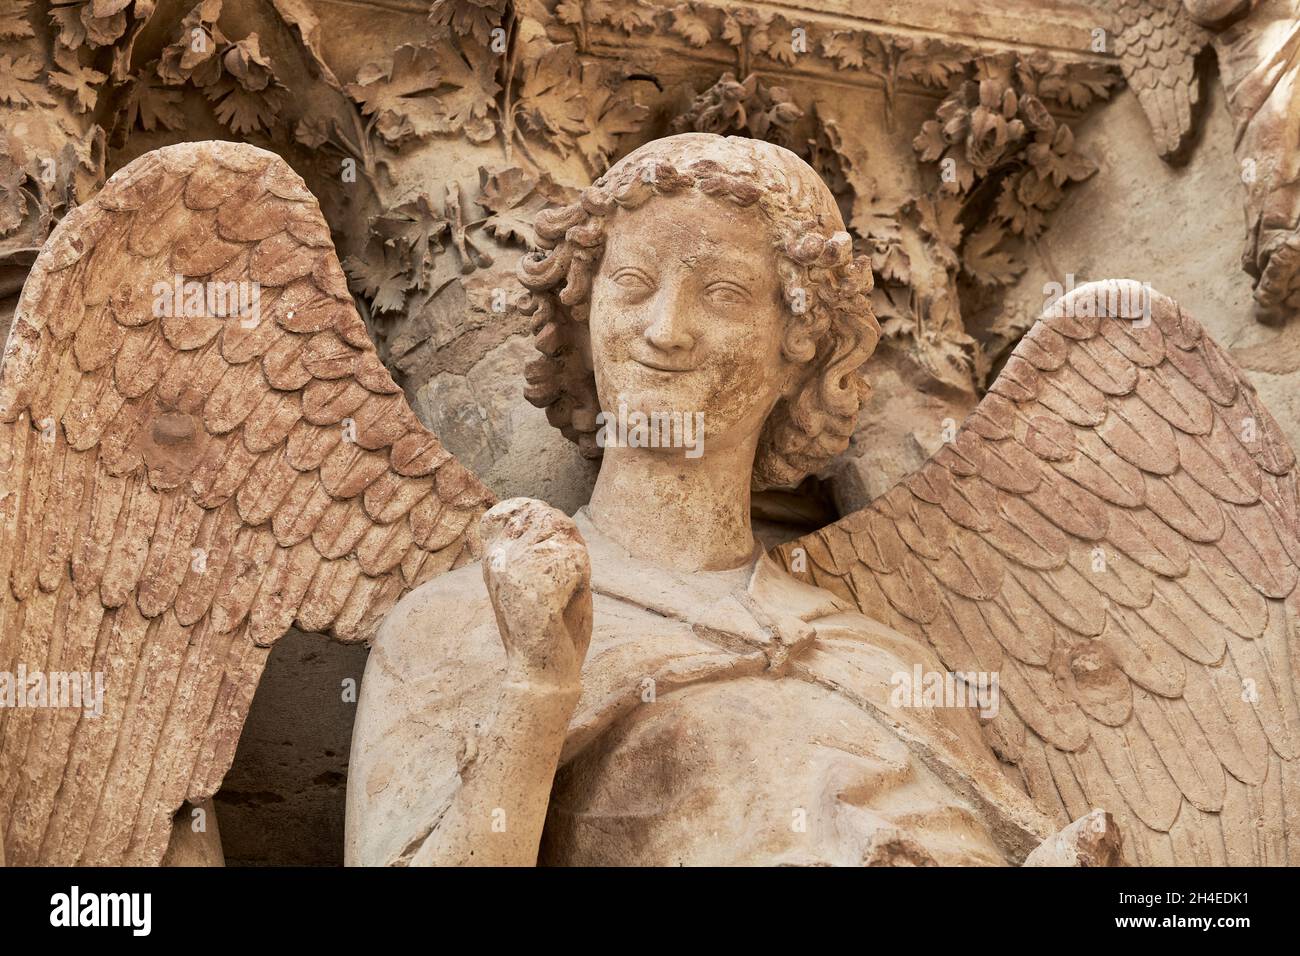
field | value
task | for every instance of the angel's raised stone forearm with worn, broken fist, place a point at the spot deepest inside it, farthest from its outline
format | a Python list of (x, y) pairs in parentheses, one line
[(539, 577)]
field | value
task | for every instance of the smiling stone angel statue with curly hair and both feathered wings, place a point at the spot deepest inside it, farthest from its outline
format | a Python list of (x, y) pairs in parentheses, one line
[(1106, 555)]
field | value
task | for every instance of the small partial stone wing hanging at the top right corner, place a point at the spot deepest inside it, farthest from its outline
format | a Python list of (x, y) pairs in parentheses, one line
[(1158, 44)]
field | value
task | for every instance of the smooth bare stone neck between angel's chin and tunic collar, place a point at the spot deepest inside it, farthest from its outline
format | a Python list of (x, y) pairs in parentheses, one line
[(675, 512)]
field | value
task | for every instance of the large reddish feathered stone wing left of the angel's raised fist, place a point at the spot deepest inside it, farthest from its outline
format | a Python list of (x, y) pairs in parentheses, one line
[(176, 492)]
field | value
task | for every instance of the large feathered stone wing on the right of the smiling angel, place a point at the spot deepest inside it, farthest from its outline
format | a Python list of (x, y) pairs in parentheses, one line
[(1116, 534)]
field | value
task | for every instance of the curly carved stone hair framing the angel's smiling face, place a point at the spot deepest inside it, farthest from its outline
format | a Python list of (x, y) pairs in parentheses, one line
[(826, 288)]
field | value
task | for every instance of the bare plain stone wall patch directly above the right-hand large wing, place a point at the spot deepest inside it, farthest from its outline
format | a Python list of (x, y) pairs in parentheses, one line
[(1175, 228)]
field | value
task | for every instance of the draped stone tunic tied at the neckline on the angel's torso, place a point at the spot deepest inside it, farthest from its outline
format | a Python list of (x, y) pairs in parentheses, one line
[(735, 717)]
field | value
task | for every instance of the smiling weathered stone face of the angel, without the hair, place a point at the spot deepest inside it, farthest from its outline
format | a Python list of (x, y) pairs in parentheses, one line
[(687, 317)]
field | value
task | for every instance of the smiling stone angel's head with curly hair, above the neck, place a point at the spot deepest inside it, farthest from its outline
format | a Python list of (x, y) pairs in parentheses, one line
[(705, 276)]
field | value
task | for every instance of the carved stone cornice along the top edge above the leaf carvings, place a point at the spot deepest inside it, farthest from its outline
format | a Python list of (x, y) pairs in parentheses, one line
[(911, 47)]
